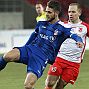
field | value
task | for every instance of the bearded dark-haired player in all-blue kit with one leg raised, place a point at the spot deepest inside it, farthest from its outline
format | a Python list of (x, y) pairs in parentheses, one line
[(42, 46)]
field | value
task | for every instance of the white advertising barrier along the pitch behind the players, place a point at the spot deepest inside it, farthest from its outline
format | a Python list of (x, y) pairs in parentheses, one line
[(12, 38)]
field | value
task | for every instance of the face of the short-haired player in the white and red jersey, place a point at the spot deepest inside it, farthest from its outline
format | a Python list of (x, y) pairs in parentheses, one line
[(73, 13)]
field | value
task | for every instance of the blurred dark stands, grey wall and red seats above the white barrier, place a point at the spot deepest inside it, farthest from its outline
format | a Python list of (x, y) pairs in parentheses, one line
[(21, 14)]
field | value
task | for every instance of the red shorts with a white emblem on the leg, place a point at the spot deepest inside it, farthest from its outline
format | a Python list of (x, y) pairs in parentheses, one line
[(68, 70)]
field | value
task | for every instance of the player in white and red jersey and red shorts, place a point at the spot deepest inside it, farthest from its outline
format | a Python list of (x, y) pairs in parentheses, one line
[(67, 63)]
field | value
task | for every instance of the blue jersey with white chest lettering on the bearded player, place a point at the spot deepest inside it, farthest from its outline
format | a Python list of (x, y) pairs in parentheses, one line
[(49, 37)]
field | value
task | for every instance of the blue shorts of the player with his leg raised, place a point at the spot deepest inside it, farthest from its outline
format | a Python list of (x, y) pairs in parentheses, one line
[(34, 59)]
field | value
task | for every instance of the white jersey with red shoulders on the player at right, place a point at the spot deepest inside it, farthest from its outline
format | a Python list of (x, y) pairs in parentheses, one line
[(69, 50)]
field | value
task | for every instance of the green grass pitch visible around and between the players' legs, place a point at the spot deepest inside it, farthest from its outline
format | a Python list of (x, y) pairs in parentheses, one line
[(13, 76)]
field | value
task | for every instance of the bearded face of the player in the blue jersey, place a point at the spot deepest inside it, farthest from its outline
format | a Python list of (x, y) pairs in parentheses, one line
[(50, 14)]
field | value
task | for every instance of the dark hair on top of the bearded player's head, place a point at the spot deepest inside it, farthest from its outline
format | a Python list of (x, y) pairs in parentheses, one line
[(55, 5)]
